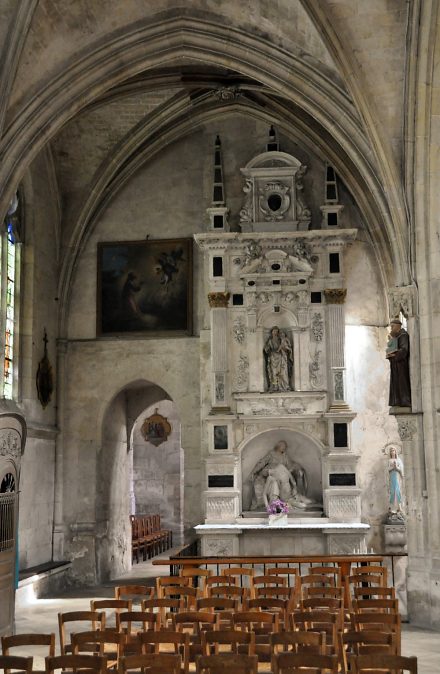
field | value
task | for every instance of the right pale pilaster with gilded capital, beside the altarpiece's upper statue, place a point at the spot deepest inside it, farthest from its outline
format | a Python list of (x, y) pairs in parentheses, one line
[(335, 298)]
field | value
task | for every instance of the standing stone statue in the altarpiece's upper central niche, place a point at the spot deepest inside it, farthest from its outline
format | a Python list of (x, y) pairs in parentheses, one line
[(278, 357)]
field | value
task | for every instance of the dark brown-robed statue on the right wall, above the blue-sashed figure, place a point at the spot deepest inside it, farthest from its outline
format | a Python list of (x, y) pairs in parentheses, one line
[(398, 355)]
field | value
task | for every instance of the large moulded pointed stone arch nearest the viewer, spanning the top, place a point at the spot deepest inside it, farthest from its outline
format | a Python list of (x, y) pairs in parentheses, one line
[(178, 41)]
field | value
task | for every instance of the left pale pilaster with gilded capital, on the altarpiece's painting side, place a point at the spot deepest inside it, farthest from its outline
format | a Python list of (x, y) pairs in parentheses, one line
[(218, 302)]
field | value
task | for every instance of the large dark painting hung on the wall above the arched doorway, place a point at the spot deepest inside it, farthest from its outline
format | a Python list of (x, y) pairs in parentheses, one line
[(145, 287)]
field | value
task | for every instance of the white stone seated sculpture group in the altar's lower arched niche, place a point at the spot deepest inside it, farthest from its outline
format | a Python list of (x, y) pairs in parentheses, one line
[(277, 476)]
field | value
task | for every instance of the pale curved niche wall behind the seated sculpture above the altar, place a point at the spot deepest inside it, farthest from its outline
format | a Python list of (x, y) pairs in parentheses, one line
[(301, 448)]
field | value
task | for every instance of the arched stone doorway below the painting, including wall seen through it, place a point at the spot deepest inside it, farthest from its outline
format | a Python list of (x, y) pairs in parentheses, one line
[(116, 469)]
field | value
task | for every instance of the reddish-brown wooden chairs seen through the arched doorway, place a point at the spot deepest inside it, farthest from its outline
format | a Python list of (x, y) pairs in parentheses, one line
[(147, 536)]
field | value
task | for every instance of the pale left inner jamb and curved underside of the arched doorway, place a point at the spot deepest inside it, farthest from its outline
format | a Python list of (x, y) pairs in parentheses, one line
[(114, 475)]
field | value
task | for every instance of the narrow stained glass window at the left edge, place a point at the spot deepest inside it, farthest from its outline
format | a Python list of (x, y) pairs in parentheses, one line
[(8, 290)]
